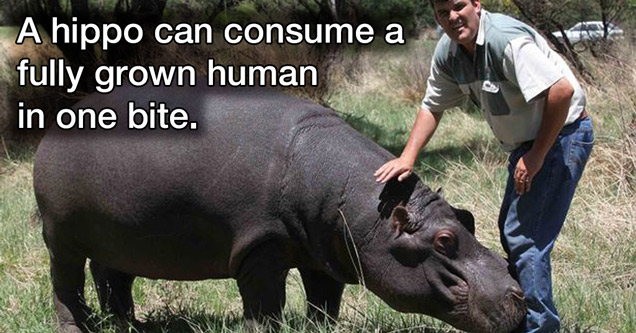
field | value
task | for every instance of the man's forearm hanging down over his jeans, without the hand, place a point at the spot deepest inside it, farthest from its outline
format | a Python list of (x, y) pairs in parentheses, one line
[(555, 113)]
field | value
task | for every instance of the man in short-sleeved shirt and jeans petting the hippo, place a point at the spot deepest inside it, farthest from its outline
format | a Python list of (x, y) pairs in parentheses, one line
[(536, 108)]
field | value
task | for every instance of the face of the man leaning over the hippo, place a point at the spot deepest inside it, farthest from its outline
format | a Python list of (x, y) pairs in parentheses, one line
[(460, 20)]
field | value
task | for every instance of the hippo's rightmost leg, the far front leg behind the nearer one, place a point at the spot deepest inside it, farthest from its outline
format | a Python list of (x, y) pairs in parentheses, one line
[(323, 295)]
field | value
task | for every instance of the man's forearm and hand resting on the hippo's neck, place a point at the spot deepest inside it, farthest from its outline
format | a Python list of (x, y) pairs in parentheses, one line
[(402, 167)]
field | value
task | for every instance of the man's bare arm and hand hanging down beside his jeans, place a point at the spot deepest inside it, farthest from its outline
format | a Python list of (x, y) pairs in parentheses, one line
[(555, 112)]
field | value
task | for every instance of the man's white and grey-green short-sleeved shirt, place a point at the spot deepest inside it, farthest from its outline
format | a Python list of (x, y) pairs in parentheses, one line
[(507, 77)]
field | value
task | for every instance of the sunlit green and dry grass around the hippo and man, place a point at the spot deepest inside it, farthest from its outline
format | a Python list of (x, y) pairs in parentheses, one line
[(594, 261)]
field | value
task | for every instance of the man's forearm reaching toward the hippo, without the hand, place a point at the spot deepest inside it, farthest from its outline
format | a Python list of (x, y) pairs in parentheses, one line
[(423, 129)]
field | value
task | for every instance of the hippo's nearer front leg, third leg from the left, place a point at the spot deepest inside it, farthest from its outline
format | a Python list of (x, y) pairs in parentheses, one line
[(261, 282)]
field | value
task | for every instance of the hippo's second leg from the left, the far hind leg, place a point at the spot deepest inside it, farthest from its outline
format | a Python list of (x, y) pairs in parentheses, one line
[(114, 290)]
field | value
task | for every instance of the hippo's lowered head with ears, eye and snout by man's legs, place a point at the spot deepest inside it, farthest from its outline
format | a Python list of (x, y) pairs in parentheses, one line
[(427, 260)]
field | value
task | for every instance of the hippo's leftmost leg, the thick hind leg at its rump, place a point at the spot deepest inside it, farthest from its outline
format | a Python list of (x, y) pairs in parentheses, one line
[(67, 277)]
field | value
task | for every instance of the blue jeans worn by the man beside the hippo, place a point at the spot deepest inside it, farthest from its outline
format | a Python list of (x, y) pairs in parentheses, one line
[(529, 224)]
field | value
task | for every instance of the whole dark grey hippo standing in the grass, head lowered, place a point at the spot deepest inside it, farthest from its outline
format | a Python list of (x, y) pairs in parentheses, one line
[(267, 183)]
